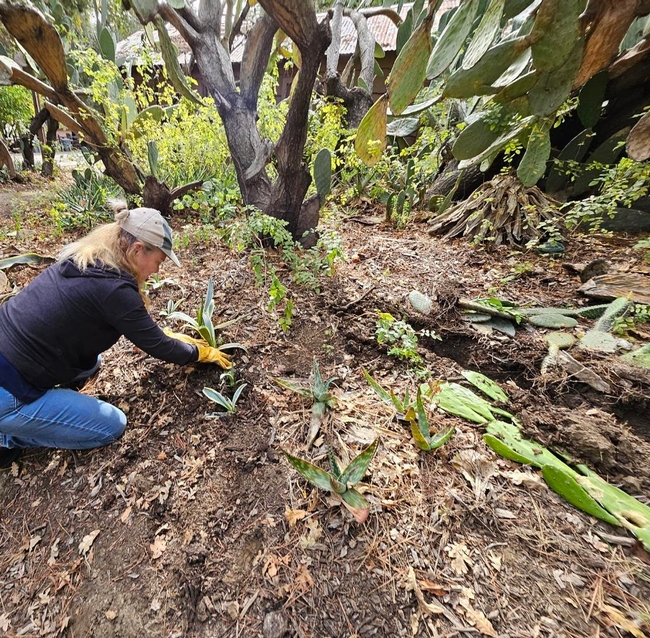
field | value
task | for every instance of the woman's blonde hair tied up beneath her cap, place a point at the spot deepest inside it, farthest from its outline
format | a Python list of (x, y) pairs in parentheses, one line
[(109, 244)]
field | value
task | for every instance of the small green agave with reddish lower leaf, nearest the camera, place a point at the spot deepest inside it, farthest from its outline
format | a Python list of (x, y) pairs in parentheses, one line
[(340, 482)]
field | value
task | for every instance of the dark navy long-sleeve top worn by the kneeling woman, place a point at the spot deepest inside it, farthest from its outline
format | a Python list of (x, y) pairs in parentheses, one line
[(56, 327)]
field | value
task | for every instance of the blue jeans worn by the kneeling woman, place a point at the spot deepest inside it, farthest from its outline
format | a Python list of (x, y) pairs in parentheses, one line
[(61, 418)]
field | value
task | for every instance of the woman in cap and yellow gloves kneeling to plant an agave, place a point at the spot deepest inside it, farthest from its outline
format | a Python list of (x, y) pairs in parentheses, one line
[(53, 332)]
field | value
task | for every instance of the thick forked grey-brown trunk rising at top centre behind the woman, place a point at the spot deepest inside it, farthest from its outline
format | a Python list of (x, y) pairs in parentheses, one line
[(285, 197)]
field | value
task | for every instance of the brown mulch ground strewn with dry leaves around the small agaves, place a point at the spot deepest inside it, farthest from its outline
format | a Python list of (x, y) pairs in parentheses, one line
[(193, 525)]
